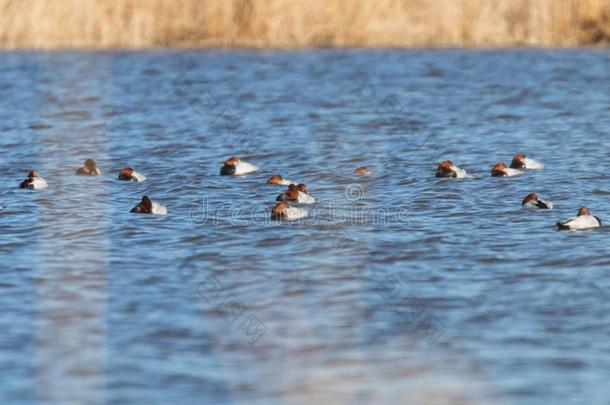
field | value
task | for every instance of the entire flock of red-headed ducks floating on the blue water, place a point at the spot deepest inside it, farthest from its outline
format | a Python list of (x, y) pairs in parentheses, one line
[(298, 193)]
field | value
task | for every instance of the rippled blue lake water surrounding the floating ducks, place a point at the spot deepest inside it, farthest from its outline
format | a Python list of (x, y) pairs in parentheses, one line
[(399, 288)]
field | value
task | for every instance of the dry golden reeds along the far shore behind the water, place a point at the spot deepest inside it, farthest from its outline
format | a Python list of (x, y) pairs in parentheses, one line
[(135, 24)]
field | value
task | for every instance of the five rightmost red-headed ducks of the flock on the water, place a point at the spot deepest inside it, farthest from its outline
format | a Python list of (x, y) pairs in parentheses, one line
[(519, 164)]
